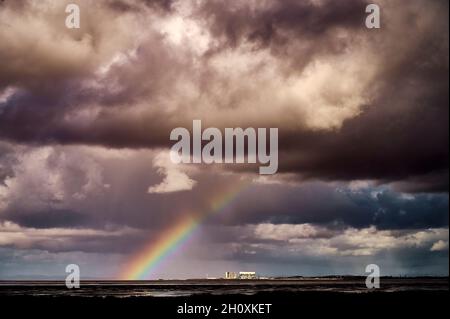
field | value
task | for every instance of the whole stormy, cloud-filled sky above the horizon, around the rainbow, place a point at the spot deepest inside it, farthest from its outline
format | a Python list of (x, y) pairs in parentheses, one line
[(86, 115)]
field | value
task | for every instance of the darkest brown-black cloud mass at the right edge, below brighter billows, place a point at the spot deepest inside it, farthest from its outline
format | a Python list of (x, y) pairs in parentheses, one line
[(386, 146)]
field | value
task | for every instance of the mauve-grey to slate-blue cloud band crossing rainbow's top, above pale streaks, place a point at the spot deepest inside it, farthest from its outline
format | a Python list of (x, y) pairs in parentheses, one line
[(79, 187)]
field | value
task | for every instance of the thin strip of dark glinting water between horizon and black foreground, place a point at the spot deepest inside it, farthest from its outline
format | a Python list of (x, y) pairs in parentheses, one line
[(125, 289)]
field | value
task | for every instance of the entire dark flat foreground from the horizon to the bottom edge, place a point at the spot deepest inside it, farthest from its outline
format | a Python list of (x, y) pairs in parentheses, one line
[(287, 300)]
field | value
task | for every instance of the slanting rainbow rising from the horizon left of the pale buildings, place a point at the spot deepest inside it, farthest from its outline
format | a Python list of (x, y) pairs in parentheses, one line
[(145, 262)]
